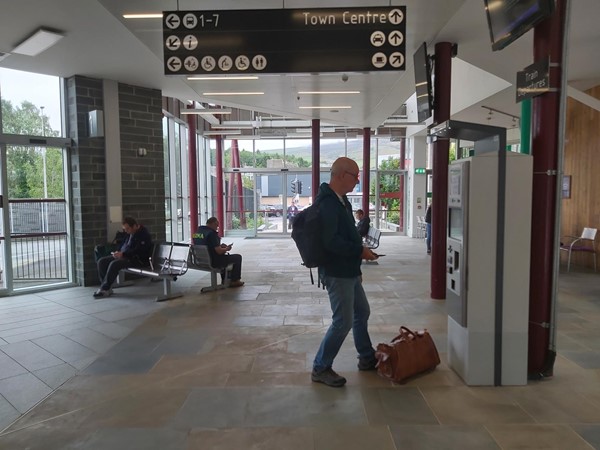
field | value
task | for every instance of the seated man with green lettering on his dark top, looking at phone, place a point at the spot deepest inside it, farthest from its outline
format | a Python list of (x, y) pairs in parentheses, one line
[(208, 235)]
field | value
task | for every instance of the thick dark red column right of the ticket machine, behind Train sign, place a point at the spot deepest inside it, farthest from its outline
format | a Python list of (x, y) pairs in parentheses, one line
[(545, 125)]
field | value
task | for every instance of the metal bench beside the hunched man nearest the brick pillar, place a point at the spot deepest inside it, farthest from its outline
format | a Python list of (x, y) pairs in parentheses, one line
[(168, 262)]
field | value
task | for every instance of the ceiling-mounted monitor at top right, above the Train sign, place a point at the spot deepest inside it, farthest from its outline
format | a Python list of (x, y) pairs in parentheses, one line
[(510, 19)]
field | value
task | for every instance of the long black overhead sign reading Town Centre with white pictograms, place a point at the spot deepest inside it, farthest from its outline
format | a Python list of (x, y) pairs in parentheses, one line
[(366, 39)]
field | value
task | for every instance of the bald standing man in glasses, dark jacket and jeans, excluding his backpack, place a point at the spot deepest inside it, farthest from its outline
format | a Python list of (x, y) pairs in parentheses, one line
[(341, 276)]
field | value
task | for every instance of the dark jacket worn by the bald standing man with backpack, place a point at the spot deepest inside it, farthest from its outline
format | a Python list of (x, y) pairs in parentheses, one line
[(339, 238)]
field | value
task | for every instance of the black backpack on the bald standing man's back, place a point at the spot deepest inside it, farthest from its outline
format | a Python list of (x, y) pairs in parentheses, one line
[(306, 233)]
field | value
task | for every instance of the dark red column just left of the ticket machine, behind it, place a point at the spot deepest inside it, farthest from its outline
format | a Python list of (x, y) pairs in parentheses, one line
[(441, 147)]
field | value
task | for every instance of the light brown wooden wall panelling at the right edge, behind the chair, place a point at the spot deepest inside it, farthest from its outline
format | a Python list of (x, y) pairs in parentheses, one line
[(582, 163)]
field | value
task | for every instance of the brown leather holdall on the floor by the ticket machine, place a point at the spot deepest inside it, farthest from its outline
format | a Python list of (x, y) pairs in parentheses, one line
[(409, 353)]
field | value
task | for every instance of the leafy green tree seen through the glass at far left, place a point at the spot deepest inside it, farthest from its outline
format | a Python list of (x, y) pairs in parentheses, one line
[(25, 165)]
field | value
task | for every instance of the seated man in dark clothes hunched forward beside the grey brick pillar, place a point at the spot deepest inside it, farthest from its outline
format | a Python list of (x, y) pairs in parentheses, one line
[(135, 251)]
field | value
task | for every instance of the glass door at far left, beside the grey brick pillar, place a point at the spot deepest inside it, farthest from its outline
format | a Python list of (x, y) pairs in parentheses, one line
[(34, 233)]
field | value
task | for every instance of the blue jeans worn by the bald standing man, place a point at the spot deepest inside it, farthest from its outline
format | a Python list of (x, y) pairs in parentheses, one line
[(351, 310)]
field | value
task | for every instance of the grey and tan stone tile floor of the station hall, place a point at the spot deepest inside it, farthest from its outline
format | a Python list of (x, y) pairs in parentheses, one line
[(230, 369)]
